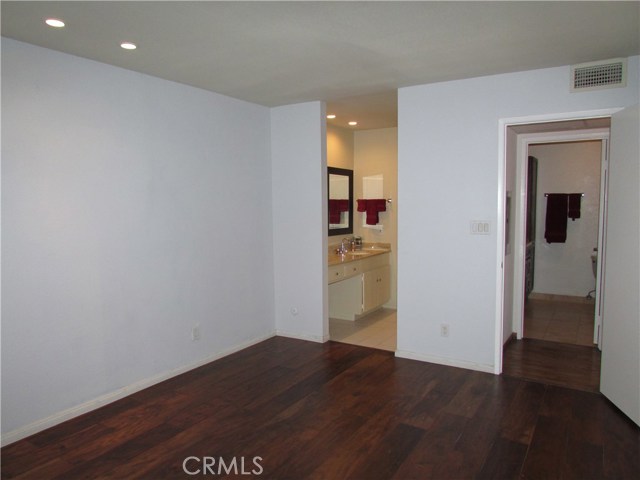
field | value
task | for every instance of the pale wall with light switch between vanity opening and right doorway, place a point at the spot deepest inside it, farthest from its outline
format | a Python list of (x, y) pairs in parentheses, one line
[(447, 176)]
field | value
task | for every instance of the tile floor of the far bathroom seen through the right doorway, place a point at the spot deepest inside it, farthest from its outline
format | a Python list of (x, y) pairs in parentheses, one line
[(558, 319)]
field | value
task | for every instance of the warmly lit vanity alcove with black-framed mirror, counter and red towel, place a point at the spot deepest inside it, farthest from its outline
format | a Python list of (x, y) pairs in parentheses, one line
[(362, 236)]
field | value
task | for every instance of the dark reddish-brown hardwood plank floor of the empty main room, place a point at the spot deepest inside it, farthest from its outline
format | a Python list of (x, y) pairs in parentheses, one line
[(332, 411)]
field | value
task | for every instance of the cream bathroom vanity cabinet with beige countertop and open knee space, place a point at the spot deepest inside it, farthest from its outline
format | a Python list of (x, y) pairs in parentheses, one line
[(359, 282)]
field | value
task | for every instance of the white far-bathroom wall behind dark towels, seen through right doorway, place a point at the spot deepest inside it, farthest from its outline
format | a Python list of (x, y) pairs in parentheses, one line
[(565, 268)]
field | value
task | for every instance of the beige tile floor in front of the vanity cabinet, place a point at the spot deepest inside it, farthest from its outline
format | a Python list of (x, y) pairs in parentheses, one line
[(376, 330)]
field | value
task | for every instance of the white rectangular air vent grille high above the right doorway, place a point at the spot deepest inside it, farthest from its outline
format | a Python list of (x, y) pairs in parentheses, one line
[(597, 75)]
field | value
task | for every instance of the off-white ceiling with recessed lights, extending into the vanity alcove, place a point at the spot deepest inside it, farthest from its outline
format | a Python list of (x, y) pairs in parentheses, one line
[(353, 55)]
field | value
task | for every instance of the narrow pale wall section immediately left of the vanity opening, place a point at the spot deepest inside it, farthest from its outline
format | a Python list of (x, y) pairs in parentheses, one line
[(299, 178)]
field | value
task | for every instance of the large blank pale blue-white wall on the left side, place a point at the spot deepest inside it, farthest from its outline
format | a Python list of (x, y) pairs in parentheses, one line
[(133, 208)]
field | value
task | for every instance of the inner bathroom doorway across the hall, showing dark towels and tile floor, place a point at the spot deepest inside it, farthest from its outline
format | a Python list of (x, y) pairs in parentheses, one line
[(560, 273)]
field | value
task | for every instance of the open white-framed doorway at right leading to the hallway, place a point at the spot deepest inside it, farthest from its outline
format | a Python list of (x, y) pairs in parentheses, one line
[(553, 282)]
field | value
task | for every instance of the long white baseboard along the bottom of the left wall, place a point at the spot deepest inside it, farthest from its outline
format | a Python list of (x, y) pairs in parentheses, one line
[(111, 397)]
